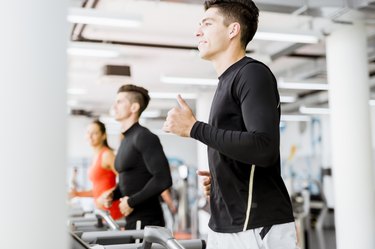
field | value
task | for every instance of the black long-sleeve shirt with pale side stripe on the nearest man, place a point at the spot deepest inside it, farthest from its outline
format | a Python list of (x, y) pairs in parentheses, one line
[(243, 139)]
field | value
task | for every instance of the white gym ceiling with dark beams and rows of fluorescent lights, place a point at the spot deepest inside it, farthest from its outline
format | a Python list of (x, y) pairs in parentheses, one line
[(163, 45)]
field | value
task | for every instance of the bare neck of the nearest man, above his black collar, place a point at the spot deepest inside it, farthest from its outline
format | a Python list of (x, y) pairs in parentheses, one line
[(226, 59)]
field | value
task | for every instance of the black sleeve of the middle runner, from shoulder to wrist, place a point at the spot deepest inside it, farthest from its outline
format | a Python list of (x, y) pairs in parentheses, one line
[(157, 164)]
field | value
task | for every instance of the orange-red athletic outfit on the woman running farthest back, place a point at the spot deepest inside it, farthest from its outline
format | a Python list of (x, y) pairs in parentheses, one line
[(103, 179)]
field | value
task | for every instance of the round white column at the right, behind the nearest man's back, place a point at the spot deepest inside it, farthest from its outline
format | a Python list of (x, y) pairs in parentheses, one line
[(347, 66)]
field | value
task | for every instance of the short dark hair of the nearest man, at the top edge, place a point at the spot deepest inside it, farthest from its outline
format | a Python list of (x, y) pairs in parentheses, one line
[(243, 11)]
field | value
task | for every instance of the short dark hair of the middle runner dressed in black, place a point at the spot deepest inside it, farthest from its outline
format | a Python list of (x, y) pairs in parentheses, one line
[(138, 95)]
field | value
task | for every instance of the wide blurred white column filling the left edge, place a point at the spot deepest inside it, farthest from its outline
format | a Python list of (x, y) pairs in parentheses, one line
[(32, 124)]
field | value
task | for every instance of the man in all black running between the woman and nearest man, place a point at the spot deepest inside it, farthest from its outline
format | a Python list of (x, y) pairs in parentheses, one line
[(140, 162)]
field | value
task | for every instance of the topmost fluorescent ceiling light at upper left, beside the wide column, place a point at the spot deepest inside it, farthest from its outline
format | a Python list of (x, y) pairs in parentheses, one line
[(97, 17)]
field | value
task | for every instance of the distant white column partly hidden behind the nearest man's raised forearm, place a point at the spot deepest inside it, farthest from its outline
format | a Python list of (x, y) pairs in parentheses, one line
[(203, 107)]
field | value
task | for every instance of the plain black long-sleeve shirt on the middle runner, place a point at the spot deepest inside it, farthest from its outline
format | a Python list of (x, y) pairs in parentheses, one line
[(143, 172)]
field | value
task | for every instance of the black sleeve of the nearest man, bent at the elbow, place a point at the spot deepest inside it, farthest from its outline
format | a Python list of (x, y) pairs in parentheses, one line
[(256, 92)]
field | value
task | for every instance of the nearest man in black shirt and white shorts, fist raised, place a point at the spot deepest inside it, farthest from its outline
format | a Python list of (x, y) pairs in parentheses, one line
[(250, 206)]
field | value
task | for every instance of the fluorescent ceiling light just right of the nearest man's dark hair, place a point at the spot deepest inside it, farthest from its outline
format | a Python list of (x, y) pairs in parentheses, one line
[(287, 36)]
